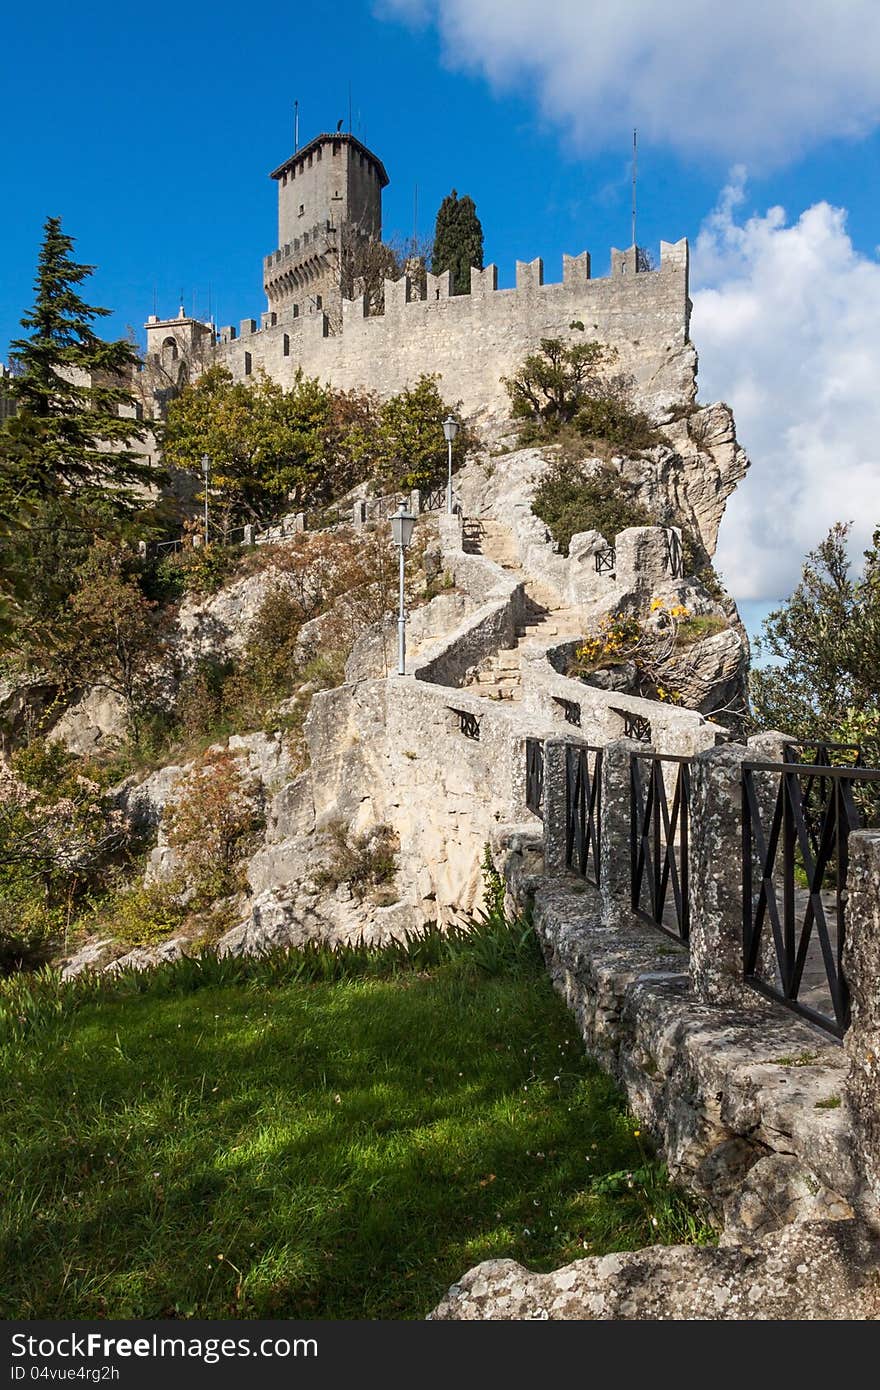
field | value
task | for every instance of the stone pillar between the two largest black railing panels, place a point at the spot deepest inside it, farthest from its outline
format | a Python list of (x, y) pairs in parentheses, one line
[(717, 876)]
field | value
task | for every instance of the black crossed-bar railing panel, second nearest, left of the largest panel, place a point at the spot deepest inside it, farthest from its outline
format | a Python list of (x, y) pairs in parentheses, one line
[(660, 842)]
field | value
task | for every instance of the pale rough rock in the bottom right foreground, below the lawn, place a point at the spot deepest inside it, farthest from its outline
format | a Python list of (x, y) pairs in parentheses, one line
[(815, 1271)]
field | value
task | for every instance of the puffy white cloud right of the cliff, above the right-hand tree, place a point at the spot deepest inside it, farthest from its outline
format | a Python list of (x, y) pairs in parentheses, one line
[(786, 326)]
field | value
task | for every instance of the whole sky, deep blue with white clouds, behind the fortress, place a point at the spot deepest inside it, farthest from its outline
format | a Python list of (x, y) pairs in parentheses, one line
[(152, 134)]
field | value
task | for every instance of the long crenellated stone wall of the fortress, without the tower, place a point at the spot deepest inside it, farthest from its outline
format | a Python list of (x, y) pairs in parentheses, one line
[(472, 341)]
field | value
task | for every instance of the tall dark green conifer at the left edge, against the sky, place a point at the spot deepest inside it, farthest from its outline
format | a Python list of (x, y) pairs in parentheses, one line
[(69, 437)]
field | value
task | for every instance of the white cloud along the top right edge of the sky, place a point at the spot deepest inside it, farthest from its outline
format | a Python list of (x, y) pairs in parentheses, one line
[(758, 81)]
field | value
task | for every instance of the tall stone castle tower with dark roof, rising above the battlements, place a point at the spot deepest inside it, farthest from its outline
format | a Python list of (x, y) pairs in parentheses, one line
[(330, 199)]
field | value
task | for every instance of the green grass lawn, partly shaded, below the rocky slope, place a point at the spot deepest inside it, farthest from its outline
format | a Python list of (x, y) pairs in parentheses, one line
[(308, 1139)]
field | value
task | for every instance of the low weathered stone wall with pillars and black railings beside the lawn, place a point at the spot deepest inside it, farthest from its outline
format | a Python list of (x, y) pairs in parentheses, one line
[(714, 924)]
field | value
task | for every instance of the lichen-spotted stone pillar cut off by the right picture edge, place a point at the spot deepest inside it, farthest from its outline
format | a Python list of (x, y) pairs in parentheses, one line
[(863, 1040)]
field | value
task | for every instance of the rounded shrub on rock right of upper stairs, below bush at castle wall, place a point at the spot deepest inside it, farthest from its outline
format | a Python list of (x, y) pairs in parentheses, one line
[(572, 500)]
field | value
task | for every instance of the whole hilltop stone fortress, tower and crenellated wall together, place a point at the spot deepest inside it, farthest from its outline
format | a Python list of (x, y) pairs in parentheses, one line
[(330, 198)]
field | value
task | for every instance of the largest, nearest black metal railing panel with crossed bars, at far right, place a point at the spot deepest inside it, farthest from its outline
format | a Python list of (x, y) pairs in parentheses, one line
[(795, 883)]
